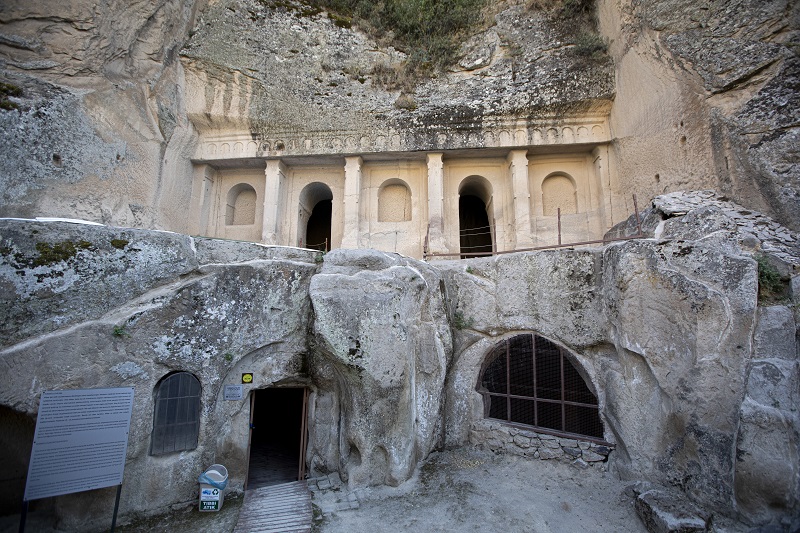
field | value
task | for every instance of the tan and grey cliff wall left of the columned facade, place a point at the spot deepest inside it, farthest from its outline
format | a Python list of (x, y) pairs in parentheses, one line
[(106, 75)]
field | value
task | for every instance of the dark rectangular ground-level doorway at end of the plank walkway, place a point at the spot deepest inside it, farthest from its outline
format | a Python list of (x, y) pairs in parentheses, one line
[(277, 436)]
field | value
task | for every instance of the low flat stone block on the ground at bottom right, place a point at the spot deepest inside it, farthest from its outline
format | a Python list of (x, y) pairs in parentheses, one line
[(667, 512)]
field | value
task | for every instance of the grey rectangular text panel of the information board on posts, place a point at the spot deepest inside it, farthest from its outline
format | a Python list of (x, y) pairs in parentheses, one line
[(80, 441)]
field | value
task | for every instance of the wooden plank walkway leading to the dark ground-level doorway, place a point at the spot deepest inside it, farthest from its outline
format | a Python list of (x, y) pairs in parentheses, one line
[(282, 508)]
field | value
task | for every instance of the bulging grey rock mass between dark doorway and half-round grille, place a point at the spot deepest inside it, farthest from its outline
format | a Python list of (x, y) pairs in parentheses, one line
[(384, 344)]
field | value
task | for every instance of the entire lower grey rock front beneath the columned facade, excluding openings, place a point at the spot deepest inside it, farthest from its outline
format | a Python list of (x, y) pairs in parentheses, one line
[(696, 380)]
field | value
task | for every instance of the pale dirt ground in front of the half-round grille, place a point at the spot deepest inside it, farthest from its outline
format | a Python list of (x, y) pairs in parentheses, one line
[(471, 490)]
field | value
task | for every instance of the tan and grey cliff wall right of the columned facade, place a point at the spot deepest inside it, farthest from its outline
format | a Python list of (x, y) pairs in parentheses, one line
[(707, 93)]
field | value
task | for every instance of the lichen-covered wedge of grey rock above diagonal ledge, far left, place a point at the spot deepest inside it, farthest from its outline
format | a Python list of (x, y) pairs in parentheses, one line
[(56, 274)]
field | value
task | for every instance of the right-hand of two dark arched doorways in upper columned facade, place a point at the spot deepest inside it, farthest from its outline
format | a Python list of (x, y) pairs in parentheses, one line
[(475, 225)]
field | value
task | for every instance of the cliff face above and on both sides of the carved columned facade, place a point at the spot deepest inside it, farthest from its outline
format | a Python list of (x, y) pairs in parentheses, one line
[(700, 96)]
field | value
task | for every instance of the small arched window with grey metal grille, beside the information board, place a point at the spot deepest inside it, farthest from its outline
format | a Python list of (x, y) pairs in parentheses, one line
[(176, 421)]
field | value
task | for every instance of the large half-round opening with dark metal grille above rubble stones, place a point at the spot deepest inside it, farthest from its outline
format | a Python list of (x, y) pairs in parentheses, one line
[(529, 380)]
